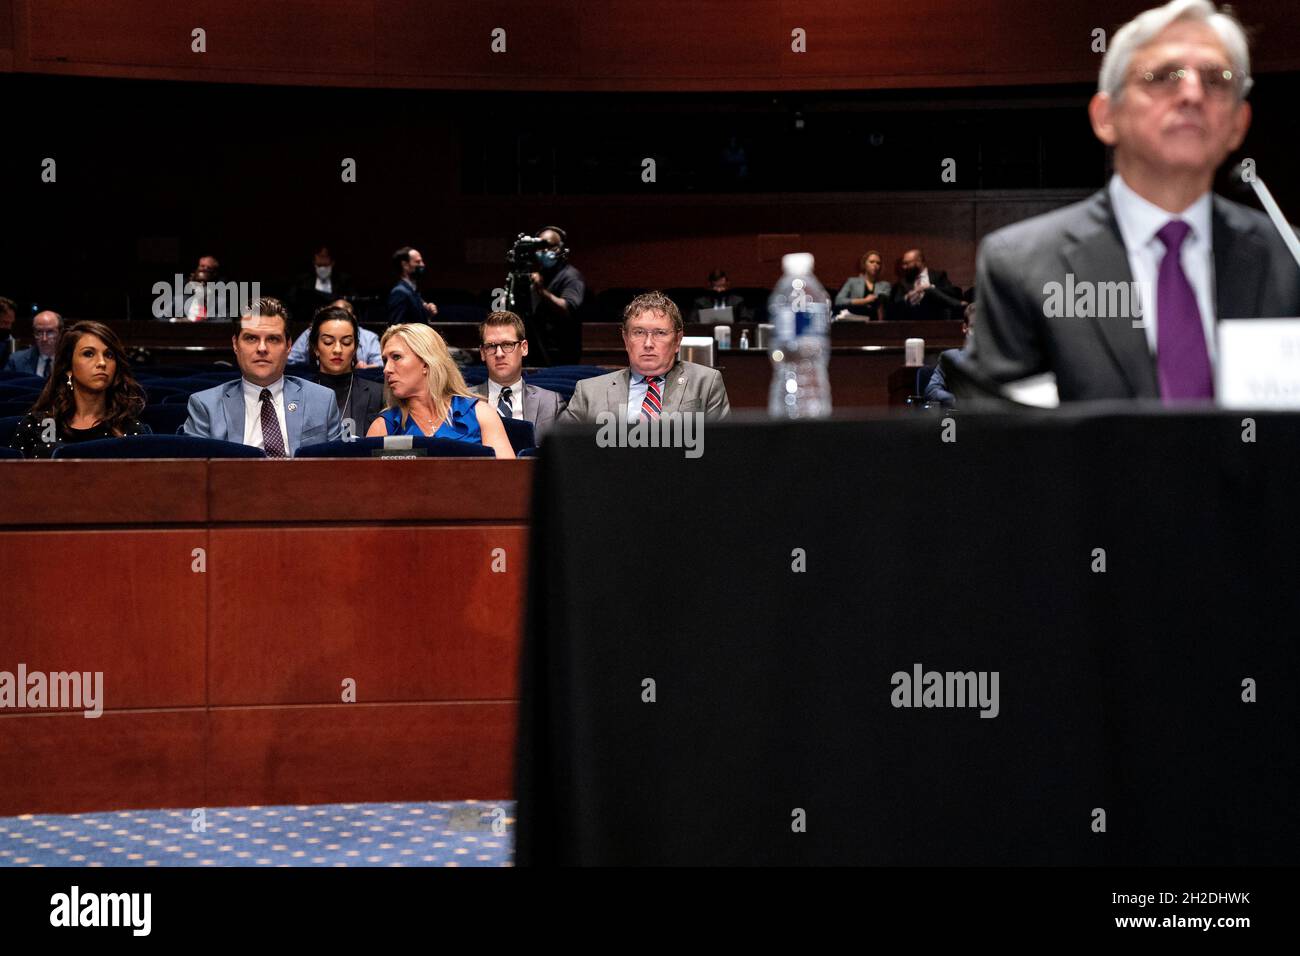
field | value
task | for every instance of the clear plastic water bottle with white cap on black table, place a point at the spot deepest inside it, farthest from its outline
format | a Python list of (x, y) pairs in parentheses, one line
[(800, 310)]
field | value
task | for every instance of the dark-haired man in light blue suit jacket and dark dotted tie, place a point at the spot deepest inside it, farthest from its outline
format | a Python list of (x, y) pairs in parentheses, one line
[(266, 408)]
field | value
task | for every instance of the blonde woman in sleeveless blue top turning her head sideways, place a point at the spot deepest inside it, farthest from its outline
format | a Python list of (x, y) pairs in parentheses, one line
[(427, 395)]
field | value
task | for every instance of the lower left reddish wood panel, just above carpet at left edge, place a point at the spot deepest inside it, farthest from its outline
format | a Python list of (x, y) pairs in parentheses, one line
[(67, 764)]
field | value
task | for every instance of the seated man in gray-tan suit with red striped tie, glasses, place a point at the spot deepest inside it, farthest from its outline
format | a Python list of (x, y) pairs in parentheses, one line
[(657, 383)]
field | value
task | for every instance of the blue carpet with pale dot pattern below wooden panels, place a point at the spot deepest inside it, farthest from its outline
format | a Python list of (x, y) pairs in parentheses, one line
[(474, 833)]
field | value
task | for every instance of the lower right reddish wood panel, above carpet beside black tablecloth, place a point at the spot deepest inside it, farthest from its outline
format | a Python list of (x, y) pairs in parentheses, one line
[(330, 754)]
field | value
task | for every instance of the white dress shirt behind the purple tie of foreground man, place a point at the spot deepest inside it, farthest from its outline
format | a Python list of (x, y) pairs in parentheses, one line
[(1139, 222)]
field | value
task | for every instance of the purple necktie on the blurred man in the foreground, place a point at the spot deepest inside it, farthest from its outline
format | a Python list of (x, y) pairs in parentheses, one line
[(1181, 357)]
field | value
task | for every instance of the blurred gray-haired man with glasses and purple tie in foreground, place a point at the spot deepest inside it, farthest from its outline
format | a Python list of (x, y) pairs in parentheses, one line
[(1056, 295)]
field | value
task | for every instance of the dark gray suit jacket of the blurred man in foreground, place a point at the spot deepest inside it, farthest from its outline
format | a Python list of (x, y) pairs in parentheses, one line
[(1103, 358)]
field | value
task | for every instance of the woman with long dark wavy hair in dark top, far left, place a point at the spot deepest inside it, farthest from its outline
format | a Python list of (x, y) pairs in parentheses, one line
[(90, 395)]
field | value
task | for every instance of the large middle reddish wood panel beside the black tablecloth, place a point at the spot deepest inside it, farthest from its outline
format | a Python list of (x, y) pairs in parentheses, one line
[(408, 613)]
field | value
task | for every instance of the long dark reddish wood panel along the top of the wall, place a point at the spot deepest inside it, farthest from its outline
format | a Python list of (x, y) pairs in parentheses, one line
[(600, 45)]
